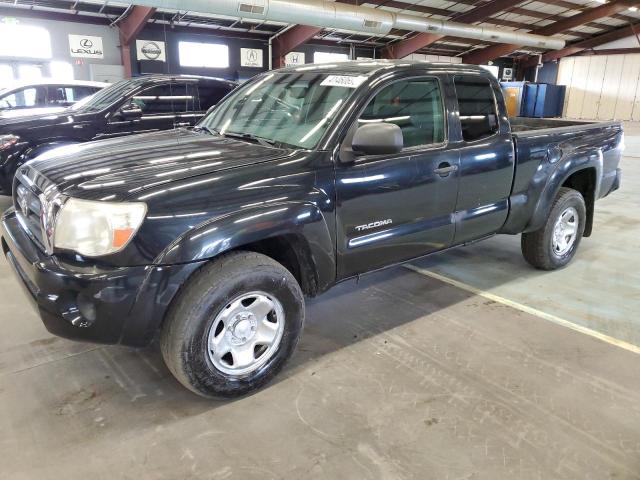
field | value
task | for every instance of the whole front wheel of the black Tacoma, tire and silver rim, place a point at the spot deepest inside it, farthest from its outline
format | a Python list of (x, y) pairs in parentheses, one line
[(234, 325)]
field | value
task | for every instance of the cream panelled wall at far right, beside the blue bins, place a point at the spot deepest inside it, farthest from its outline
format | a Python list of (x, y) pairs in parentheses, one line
[(601, 87)]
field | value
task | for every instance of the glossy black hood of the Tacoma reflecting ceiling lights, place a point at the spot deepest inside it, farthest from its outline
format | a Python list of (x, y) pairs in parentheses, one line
[(123, 167)]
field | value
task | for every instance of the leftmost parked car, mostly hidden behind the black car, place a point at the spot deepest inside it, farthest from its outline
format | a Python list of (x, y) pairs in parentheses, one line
[(45, 95)]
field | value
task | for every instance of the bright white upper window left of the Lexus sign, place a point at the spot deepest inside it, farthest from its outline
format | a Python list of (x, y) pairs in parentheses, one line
[(24, 41)]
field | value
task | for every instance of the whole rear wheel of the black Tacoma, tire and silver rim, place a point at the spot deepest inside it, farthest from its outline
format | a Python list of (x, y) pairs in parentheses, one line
[(555, 244)]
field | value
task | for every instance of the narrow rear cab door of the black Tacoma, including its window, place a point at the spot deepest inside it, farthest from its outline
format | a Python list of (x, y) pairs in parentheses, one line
[(487, 158)]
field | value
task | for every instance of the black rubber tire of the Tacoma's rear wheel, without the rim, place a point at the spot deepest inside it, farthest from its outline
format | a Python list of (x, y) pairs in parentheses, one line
[(537, 247)]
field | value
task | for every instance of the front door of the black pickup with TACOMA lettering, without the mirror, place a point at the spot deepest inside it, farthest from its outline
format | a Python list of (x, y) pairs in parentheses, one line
[(392, 208)]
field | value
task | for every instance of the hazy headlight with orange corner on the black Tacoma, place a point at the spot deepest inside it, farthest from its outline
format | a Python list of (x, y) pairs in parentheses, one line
[(94, 229)]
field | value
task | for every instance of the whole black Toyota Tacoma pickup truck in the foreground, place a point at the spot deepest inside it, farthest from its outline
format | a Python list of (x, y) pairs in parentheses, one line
[(304, 177)]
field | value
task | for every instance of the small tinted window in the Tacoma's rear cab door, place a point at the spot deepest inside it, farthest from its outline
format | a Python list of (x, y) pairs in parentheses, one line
[(478, 115)]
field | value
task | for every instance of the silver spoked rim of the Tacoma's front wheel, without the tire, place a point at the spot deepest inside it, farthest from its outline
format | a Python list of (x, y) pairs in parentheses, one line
[(246, 333)]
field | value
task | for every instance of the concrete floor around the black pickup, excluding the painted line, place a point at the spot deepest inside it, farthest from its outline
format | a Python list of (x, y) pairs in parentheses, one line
[(401, 376)]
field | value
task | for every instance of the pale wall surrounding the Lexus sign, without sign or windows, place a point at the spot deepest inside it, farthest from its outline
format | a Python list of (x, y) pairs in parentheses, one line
[(59, 32)]
